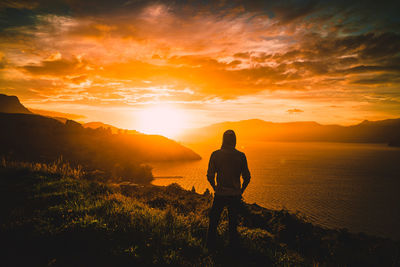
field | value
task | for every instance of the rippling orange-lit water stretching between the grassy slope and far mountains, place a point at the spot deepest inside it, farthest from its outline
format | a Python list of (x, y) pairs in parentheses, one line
[(335, 185)]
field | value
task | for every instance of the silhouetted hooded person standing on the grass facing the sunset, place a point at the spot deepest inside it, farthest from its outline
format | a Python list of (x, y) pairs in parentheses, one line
[(229, 164)]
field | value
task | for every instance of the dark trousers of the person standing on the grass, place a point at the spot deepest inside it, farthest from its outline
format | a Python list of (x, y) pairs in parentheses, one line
[(234, 205)]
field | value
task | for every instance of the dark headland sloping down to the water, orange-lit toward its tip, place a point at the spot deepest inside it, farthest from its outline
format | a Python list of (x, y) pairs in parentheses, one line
[(118, 156)]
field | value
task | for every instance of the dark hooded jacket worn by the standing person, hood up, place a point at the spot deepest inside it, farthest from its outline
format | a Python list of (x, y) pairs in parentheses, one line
[(229, 164)]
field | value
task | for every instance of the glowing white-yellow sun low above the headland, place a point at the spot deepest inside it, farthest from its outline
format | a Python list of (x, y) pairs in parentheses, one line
[(165, 120)]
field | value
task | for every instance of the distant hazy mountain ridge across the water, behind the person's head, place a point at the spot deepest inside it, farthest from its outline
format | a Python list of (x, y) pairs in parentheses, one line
[(384, 131)]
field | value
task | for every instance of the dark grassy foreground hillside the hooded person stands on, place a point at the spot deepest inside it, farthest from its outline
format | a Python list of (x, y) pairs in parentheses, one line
[(52, 216)]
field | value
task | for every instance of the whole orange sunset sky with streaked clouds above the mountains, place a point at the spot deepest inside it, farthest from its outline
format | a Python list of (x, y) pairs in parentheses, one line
[(203, 61)]
